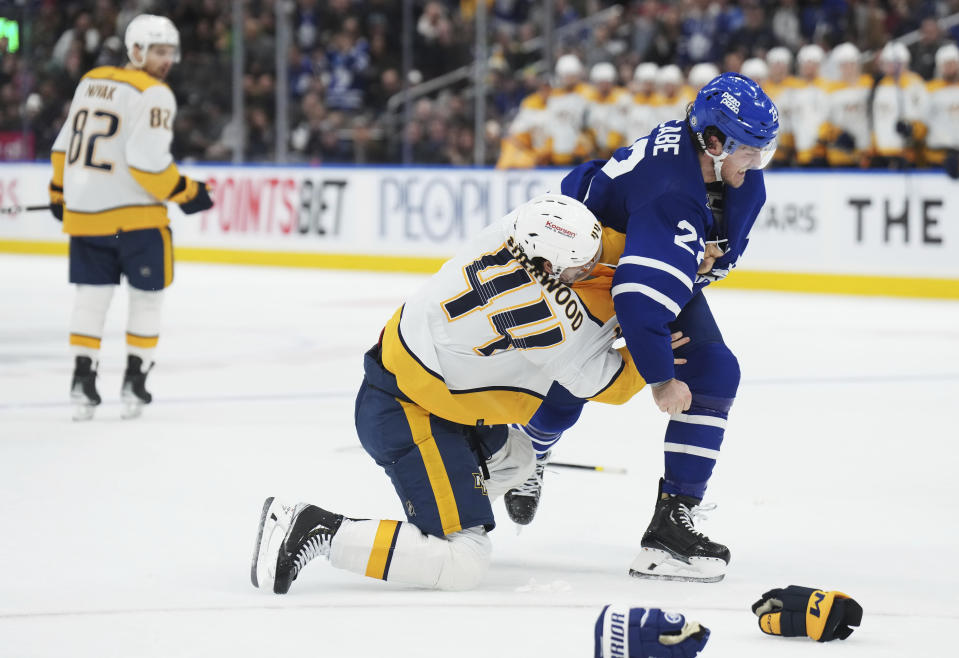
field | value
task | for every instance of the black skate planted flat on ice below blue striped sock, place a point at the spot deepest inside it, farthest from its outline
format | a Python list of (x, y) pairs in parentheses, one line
[(672, 548)]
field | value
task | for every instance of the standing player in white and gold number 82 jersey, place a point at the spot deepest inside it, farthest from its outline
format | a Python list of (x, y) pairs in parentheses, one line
[(112, 177)]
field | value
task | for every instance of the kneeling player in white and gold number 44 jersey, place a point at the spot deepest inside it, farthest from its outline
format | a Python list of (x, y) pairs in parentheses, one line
[(475, 350)]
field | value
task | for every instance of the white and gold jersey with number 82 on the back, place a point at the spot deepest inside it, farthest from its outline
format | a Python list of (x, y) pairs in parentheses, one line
[(112, 156)]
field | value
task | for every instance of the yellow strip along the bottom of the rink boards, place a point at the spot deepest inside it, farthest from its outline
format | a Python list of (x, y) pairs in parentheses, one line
[(839, 284)]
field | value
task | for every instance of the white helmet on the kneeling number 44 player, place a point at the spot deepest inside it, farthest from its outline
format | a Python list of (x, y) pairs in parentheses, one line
[(560, 230)]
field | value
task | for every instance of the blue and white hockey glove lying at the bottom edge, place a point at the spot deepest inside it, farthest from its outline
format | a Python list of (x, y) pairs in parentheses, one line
[(647, 633)]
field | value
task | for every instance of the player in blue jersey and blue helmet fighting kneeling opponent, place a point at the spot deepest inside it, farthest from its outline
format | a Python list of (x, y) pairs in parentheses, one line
[(679, 203)]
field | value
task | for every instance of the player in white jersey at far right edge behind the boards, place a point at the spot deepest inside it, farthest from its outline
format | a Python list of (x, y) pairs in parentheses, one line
[(942, 114)]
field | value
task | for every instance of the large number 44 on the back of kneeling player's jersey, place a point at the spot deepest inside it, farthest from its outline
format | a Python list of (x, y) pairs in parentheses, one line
[(538, 317)]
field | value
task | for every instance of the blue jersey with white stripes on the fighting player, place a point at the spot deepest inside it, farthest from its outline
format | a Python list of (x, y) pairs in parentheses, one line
[(654, 193)]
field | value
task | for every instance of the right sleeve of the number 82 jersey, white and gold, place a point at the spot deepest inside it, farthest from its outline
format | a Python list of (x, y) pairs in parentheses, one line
[(148, 146)]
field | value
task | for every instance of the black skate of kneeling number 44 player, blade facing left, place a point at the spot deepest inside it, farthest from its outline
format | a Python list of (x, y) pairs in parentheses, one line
[(289, 537)]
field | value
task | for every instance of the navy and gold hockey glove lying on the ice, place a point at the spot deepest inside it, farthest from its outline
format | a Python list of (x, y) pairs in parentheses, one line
[(795, 611)]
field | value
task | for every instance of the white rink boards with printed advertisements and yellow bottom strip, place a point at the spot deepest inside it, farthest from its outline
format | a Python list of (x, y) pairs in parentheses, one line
[(872, 233)]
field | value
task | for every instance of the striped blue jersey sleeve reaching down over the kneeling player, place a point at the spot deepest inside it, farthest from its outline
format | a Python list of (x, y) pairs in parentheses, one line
[(655, 278)]
